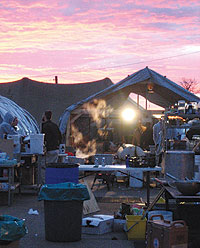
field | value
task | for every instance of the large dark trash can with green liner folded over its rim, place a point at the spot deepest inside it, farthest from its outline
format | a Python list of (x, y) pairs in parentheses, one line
[(63, 207)]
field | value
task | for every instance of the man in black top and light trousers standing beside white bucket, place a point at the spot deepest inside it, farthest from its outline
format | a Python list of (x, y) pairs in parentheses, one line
[(52, 137)]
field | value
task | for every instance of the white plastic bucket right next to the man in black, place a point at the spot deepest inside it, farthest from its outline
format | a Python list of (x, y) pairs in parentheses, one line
[(37, 143)]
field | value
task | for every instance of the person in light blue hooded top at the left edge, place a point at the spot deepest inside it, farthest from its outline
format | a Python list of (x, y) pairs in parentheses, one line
[(8, 126)]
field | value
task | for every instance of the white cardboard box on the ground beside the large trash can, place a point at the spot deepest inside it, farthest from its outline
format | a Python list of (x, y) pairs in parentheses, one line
[(98, 224)]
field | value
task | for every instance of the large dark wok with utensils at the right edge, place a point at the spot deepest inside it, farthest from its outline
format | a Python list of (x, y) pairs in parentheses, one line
[(186, 187)]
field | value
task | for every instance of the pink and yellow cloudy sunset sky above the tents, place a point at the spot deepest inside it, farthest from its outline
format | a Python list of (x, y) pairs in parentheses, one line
[(83, 41)]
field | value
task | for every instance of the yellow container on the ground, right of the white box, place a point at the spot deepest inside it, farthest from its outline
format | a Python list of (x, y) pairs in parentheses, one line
[(135, 227)]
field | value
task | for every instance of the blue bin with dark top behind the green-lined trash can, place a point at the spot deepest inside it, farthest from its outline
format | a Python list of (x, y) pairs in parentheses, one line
[(61, 173)]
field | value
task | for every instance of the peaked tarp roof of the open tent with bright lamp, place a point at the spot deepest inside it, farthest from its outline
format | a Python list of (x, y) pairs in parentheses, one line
[(164, 92)]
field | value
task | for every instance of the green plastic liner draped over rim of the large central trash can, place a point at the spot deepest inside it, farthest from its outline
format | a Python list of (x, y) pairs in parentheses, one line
[(64, 192)]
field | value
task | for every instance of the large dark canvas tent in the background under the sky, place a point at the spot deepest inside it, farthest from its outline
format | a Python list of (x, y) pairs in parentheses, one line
[(37, 97)]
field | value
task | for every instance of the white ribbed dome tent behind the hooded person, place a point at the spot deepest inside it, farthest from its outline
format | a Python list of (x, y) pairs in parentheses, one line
[(27, 124)]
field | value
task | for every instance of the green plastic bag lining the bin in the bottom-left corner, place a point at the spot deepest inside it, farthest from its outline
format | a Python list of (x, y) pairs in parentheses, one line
[(11, 228)]
